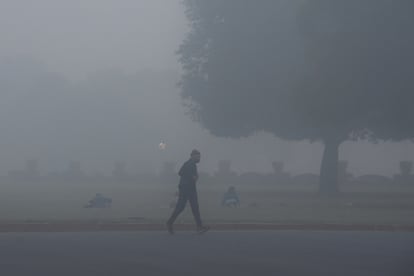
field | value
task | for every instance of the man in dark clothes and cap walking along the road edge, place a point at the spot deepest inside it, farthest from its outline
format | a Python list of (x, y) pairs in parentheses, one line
[(188, 192)]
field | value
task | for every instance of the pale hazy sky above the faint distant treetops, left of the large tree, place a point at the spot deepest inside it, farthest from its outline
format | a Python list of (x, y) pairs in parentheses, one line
[(80, 36)]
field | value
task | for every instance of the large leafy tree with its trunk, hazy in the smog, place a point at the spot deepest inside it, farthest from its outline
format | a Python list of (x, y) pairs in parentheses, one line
[(322, 70)]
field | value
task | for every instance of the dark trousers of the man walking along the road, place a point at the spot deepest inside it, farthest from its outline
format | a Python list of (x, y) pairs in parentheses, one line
[(187, 193)]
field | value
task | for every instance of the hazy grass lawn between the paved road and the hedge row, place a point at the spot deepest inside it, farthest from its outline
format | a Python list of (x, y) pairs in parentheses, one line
[(373, 204)]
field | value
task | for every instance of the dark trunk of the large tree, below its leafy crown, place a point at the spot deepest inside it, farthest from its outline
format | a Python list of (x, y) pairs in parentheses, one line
[(328, 182)]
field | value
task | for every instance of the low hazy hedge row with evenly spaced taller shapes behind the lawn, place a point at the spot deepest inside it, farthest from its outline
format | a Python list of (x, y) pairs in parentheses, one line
[(224, 175)]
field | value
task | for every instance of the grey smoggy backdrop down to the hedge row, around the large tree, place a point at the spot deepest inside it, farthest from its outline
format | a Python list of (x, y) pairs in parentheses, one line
[(95, 81)]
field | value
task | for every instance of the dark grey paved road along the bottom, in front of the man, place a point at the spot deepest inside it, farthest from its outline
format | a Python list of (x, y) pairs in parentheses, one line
[(255, 253)]
